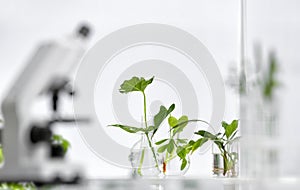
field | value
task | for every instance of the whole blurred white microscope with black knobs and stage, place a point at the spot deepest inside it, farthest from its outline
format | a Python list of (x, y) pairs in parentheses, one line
[(27, 148)]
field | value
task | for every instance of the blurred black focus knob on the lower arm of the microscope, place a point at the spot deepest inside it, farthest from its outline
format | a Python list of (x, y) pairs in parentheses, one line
[(40, 134)]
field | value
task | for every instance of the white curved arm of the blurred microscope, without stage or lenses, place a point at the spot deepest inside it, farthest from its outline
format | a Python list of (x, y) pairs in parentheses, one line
[(50, 65)]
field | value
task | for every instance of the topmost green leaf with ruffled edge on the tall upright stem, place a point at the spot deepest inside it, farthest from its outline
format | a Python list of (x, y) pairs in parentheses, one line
[(135, 84)]
